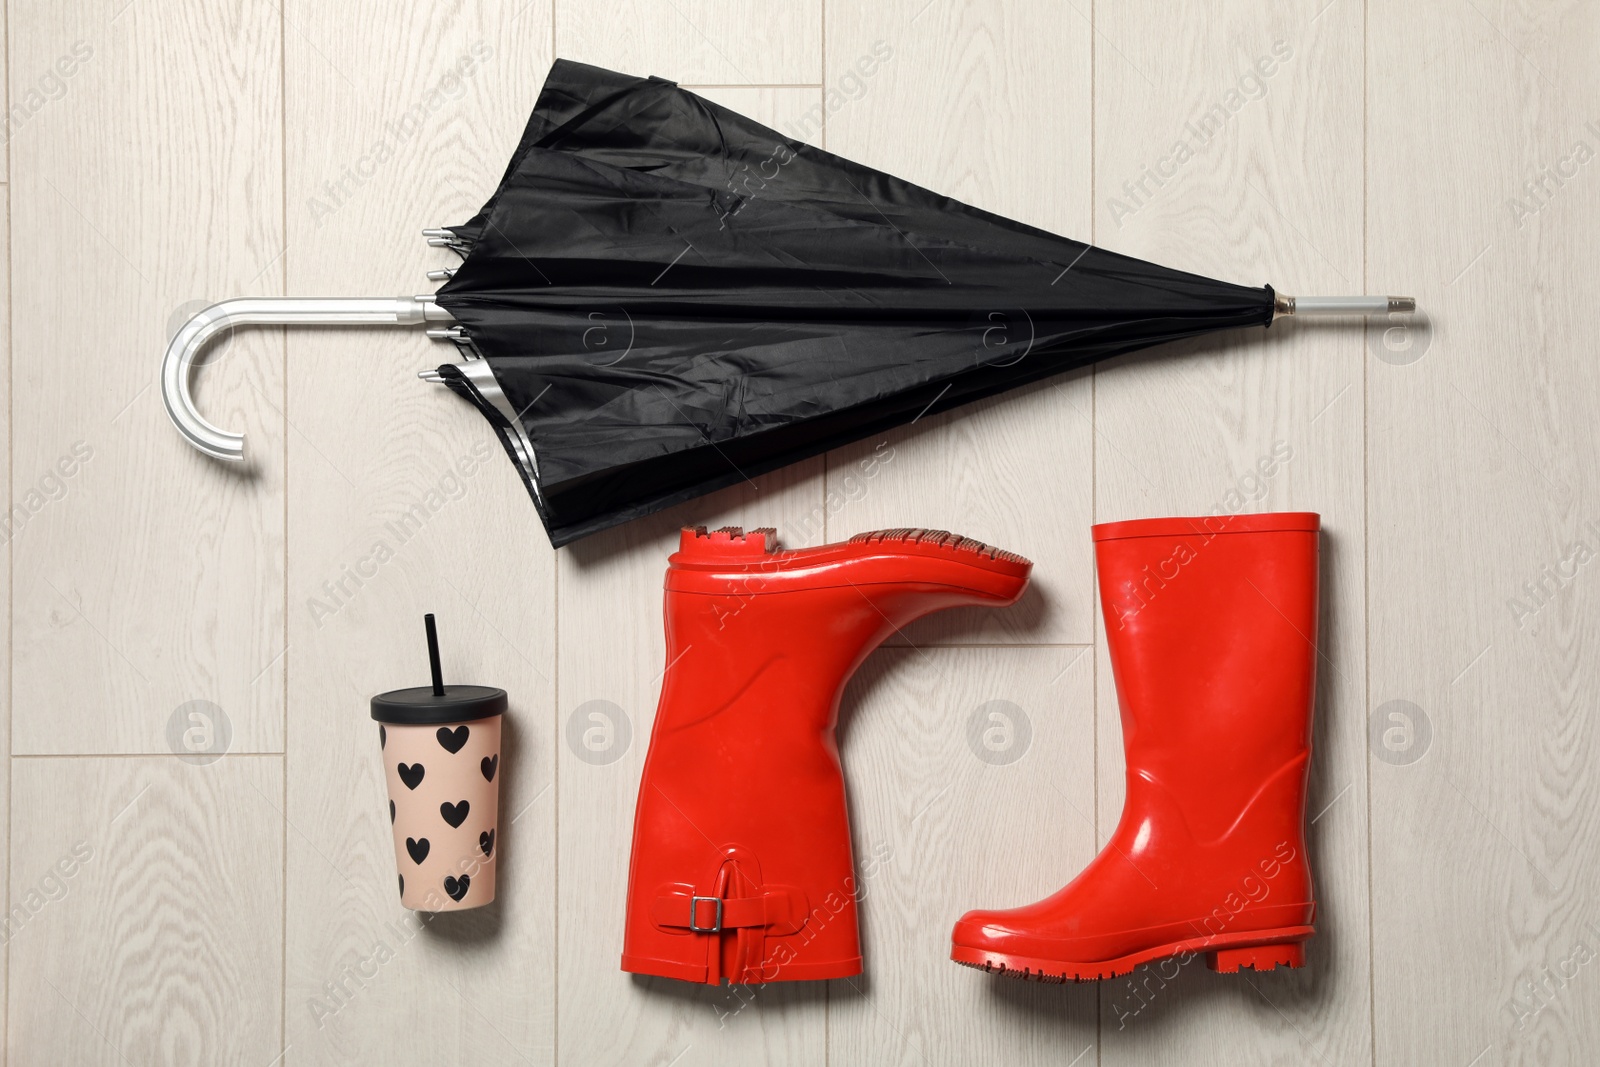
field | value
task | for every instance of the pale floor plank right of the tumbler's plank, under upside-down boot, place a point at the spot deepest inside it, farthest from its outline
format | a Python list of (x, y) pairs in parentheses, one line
[(614, 652)]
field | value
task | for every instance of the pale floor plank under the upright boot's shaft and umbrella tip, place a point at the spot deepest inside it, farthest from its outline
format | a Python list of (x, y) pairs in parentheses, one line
[(1246, 423)]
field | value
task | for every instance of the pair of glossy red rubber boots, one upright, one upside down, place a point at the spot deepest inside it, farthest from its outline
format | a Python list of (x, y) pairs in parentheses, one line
[(742, 866)]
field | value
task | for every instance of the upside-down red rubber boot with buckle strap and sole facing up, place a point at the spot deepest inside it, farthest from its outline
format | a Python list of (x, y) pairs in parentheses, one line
[(742, 863)]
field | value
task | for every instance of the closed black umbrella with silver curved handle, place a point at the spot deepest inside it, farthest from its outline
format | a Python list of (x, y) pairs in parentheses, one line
[(665, 298)]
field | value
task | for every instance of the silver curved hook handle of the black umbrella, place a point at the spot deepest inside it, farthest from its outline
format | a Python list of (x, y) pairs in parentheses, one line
[(270, 311)]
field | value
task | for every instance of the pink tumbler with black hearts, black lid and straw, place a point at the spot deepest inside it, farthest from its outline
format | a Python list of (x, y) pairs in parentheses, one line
[(441, 749)]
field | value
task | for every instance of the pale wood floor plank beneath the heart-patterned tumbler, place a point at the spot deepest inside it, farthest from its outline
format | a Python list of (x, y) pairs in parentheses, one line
[(399, 121)]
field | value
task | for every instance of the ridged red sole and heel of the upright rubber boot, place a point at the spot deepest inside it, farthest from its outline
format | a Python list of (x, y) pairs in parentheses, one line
[(1226, 954)]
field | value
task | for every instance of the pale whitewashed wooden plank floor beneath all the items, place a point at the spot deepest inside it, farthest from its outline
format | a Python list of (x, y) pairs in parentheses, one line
[(169, 908)]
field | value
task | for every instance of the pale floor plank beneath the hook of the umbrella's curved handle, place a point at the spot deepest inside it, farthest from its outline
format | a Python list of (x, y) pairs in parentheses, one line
[(154, 577)]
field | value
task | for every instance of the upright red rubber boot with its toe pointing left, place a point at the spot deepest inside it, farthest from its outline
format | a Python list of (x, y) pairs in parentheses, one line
[(1212, 626)]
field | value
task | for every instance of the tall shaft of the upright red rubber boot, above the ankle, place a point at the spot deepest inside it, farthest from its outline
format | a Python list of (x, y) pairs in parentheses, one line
[(1212, 628)]
